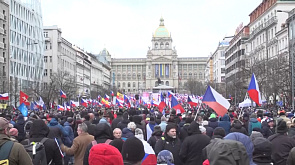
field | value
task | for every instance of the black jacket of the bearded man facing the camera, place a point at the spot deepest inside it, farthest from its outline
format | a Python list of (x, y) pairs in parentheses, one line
[(170, 144)]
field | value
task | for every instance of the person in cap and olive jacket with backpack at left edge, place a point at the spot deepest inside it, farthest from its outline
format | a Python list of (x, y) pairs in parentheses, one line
[(11, 153)]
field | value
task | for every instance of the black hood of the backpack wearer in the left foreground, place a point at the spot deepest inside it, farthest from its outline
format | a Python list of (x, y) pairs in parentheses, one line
[(38, 129)]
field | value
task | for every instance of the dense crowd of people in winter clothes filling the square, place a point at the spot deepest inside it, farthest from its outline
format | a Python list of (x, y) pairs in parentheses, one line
[(149, 137)]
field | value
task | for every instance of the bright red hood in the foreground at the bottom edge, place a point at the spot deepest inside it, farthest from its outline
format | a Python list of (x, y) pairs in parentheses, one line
[(102, 154)]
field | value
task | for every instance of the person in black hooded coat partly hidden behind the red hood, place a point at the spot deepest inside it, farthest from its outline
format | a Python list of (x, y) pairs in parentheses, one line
[(102, 134)]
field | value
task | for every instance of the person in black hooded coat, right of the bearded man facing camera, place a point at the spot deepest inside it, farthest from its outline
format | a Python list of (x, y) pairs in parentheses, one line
[(191, 148)]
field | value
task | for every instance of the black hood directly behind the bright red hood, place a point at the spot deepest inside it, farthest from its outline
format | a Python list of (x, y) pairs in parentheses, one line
[(103, 131)]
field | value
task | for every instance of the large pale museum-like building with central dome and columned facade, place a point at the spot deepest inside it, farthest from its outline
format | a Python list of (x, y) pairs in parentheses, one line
[(136, 75)]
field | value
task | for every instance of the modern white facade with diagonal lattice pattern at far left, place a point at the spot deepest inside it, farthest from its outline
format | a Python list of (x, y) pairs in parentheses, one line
[(26, 45)]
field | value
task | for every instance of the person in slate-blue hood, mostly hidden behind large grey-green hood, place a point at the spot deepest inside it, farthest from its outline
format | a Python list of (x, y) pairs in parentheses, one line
[(245, 140)]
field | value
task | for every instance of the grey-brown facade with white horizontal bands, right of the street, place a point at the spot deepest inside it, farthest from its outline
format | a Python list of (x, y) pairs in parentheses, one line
[(235, 60)]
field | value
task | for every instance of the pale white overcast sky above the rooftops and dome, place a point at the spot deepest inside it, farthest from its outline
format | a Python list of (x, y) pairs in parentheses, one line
[(125, 27)]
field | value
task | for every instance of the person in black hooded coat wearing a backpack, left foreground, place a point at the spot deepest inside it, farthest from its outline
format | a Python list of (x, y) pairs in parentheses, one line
[(38, 133)]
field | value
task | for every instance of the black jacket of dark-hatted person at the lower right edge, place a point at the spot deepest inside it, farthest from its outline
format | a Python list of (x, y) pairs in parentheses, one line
[(281, 145)]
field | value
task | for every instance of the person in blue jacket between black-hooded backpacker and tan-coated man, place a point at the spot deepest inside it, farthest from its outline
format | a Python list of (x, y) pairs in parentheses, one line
[(56, 130)]
